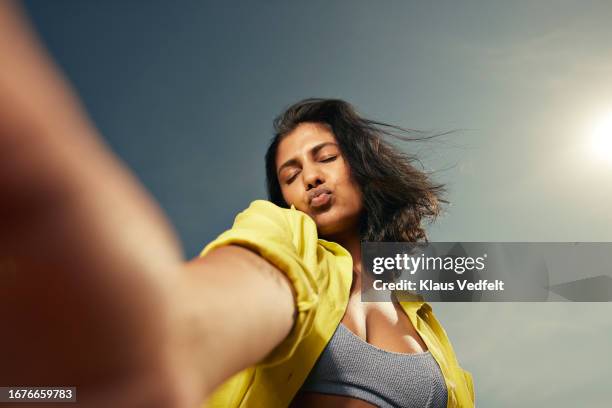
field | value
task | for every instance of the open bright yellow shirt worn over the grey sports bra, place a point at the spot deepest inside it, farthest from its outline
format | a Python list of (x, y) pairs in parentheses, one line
[(321, 273)]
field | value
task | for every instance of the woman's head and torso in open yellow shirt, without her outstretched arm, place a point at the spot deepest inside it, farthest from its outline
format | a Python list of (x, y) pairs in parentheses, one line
[(333, 182)]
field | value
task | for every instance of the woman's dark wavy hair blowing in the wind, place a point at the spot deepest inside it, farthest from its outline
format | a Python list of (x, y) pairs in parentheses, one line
[(397, 196)]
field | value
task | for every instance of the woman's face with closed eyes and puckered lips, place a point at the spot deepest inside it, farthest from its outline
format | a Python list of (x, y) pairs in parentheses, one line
[(315, 177)]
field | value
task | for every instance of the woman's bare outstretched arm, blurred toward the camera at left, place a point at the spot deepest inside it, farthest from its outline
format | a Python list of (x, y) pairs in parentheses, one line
[(94, 290)]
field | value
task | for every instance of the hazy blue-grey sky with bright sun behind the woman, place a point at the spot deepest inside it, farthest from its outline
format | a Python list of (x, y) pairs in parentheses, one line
[(185, 93)]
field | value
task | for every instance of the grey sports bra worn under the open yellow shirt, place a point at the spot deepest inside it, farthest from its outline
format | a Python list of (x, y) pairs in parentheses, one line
[(351, 367)]
